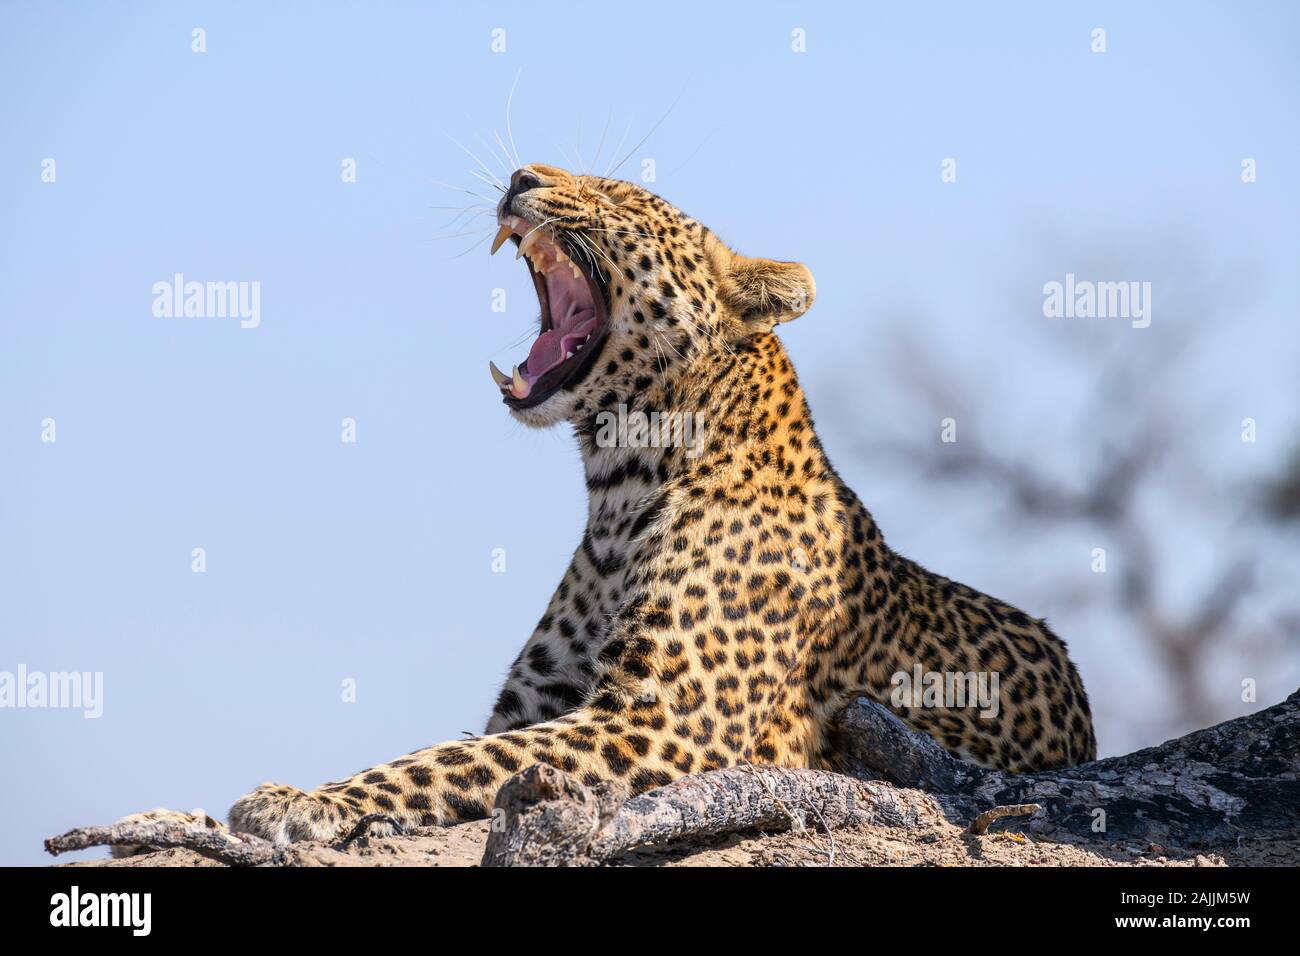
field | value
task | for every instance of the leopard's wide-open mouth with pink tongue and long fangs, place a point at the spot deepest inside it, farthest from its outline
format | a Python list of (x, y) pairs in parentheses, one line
[(575, 317)]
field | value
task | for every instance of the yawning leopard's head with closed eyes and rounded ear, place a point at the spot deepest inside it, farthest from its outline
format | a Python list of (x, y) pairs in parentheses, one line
[(634, 293)]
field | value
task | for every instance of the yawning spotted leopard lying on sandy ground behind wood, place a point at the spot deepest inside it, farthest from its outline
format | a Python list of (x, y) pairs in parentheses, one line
[(730, 595)]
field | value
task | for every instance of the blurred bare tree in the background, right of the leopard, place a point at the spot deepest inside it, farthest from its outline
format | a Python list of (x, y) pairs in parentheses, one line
[(1134, 447)]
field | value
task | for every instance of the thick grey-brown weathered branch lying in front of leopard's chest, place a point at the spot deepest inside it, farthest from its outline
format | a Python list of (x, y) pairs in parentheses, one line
[(548, 819)]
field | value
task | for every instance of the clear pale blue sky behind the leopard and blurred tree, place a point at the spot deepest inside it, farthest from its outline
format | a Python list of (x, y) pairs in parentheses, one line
[(372, 561)]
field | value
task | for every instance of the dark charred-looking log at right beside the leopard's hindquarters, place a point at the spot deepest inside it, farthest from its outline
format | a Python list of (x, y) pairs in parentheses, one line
[(1238, 778)]
